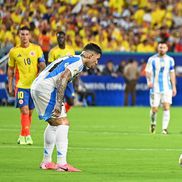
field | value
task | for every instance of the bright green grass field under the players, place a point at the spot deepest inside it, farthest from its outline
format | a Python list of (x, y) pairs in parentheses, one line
[(107, 144)]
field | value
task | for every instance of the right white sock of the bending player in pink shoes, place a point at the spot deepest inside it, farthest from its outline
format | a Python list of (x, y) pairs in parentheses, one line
[(62, 143)]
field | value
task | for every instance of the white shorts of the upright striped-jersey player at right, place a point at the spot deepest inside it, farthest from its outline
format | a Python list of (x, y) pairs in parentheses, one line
[(157, 98)]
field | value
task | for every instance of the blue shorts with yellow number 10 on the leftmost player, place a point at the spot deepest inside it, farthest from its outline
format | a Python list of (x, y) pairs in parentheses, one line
[(23, 98)]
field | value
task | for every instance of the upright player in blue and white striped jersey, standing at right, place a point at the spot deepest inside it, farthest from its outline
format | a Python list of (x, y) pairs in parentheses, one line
[(161, 80)]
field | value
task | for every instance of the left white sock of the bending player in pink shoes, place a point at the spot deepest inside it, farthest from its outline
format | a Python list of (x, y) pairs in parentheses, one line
[(49, 142)]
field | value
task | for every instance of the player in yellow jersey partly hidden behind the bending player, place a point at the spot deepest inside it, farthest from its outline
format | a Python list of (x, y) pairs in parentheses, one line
[(62, 50)]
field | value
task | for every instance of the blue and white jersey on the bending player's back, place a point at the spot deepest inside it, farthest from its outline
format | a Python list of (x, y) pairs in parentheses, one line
[(46, 81)]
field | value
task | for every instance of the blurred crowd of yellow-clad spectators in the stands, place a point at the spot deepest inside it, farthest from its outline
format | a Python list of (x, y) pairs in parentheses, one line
[(116, 25)]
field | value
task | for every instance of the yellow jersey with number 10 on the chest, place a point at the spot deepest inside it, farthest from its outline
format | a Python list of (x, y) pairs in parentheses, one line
[(25, 61)]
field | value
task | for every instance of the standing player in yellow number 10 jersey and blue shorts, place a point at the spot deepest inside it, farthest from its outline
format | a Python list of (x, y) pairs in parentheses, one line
[(25, 61)]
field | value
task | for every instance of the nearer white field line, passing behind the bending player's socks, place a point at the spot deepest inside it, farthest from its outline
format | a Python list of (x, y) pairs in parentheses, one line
[(95, 148)]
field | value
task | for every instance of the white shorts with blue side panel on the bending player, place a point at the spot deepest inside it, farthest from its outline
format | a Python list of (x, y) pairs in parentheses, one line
[(44, 104)]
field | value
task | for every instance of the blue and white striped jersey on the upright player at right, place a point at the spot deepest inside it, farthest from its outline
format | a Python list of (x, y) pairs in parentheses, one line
[(160, 68)]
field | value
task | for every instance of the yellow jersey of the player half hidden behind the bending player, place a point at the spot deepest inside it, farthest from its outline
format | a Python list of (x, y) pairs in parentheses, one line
[(57, 52)]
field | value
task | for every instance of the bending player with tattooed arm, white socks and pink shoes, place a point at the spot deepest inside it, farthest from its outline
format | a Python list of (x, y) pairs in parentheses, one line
[(47, 92)]
